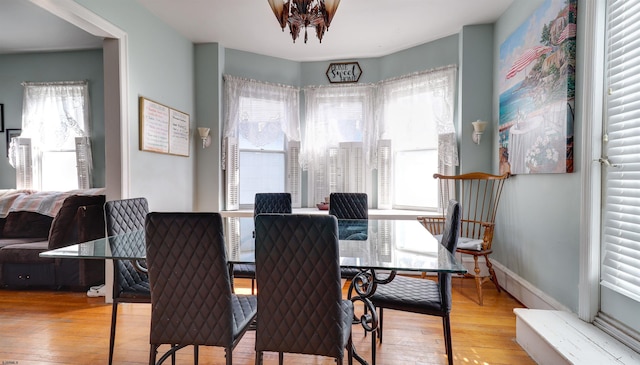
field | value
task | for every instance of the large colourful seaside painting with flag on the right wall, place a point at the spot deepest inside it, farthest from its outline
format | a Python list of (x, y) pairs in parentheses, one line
[(537, 91)]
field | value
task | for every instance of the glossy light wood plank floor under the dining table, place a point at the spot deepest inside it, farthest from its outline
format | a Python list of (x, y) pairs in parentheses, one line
[(47, 327)]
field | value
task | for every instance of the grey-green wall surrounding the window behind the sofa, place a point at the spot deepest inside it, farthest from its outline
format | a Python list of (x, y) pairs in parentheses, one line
[(41, 67)]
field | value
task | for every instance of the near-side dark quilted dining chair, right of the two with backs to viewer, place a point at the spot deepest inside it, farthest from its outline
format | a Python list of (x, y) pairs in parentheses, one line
[(299, 290)]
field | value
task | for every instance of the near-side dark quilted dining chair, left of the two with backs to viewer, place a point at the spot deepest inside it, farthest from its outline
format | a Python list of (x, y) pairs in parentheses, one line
[(192, 302)]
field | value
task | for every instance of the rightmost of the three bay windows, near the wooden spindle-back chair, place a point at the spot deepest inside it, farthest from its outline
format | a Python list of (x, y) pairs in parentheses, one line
[(417, 118)]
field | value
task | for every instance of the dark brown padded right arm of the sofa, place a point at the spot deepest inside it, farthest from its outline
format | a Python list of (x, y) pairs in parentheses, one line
[(63, 229)]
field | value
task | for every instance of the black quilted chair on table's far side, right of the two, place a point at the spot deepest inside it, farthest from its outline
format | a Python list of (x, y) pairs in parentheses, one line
[(348, 206)]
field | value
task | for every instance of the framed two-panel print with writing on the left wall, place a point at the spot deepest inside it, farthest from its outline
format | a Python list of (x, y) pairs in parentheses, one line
[(163, 129)]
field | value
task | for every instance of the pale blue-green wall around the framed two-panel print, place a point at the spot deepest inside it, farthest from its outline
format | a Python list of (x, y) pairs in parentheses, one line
[(161, 68)]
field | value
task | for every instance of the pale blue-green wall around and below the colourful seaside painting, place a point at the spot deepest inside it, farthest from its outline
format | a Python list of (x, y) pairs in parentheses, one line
[(537, 227)]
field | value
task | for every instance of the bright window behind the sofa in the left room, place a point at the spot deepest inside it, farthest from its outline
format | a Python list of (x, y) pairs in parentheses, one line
[(53, 151)]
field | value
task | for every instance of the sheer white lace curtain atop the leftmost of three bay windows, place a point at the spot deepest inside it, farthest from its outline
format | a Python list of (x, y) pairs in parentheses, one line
[(252, 127)]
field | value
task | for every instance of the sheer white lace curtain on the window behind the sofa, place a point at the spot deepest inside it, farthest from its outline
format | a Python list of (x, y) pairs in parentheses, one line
[(53, 116)]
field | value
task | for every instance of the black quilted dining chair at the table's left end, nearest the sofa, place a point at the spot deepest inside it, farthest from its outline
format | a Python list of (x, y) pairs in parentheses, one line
[(130, 284)]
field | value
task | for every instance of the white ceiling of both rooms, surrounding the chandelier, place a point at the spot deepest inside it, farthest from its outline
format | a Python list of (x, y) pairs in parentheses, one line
[(360, 28)]
